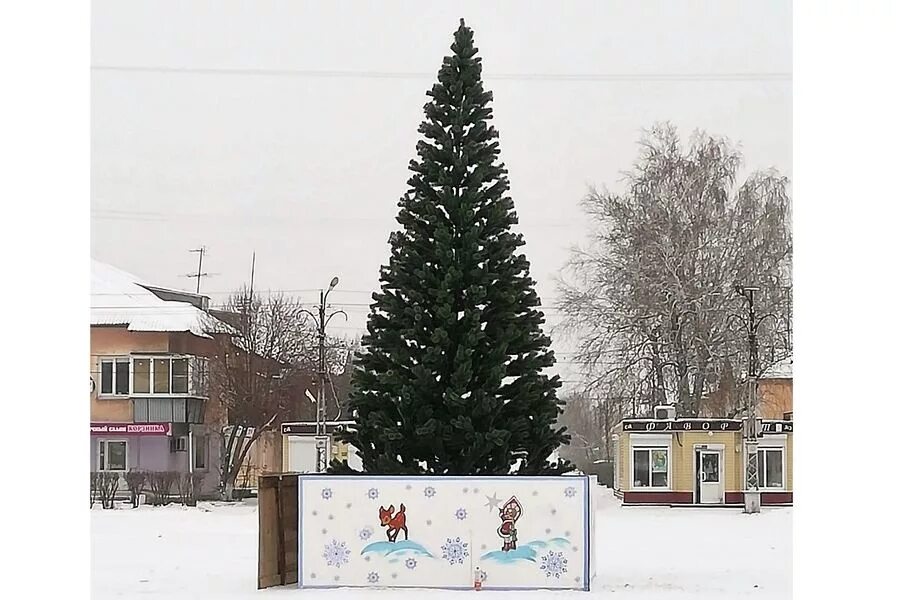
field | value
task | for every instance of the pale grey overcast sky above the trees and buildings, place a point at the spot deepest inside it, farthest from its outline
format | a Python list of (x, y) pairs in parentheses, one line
[(305, 165)]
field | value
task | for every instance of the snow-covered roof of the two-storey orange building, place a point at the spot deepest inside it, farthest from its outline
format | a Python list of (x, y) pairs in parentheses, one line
[(120, 298)]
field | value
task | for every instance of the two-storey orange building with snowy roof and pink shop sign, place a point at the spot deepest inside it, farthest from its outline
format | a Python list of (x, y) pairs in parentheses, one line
[(150, 392)]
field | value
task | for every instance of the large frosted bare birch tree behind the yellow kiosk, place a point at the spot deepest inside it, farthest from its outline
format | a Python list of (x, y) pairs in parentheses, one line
[(651, 297)]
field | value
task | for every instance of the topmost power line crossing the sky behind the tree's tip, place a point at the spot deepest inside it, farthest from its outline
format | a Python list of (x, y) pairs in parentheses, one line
[(538, 77)]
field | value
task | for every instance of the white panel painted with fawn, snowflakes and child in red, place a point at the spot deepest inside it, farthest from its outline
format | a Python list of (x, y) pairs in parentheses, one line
[(445, 532)]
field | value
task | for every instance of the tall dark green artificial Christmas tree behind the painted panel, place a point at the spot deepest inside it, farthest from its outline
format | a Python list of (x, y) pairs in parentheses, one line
[(450, 377)]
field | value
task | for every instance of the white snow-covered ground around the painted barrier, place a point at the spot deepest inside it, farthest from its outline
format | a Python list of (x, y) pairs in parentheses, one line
[(209, 552)]
